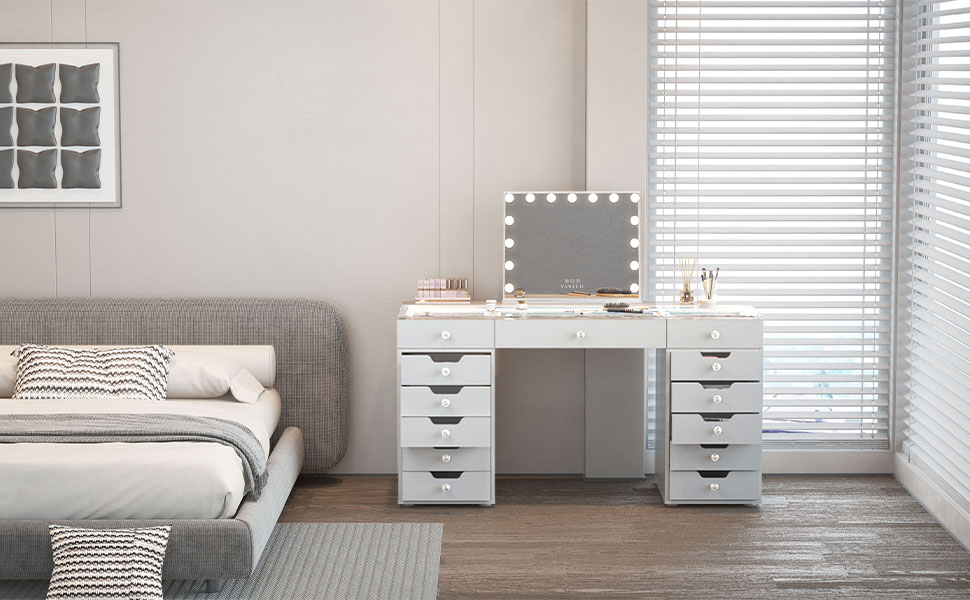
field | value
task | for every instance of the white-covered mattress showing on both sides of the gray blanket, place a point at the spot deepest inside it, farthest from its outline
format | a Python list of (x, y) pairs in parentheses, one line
[(166, 480)]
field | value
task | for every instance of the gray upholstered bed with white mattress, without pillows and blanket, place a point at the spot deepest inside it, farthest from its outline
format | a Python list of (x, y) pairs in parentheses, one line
[(219, 529)]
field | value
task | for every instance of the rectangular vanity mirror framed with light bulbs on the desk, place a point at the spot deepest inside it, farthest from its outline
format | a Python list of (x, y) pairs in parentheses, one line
[(559, 244)]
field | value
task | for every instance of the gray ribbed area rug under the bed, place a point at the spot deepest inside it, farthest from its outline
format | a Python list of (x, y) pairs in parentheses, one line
[(320, 561)]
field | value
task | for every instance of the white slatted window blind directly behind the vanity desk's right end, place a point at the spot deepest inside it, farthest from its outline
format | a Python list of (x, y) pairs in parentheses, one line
[(771, 157)]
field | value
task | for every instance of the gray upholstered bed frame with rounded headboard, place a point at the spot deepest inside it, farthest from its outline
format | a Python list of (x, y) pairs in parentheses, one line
[(312, 377)]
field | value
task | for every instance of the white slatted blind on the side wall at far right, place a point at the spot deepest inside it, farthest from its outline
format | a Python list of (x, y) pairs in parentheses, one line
[(935, 388)]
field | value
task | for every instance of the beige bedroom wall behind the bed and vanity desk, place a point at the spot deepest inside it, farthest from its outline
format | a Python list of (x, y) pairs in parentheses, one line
[(338, 150)]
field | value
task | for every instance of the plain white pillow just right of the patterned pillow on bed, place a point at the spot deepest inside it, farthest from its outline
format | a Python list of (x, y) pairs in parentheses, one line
[(209, 375)]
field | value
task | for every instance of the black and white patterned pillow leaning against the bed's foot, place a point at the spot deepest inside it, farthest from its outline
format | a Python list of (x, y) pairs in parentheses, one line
[(108, 564)]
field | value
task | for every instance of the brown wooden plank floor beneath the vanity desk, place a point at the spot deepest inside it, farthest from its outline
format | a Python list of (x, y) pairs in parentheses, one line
[(813, 537)]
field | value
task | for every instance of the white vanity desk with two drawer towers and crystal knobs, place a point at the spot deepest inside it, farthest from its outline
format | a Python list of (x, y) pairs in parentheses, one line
[(709, 396)]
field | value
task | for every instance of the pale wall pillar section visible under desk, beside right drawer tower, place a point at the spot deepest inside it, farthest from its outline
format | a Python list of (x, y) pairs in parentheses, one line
[(615, 436)]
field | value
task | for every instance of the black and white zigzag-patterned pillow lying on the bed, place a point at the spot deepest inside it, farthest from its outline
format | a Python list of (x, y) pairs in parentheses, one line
[(130, 373)]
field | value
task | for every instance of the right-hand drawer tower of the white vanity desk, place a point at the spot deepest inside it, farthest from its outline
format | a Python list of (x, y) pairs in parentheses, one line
[(709, 399)]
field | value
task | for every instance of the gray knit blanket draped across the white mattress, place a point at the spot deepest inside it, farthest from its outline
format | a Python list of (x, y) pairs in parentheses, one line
[(87, 428)]
